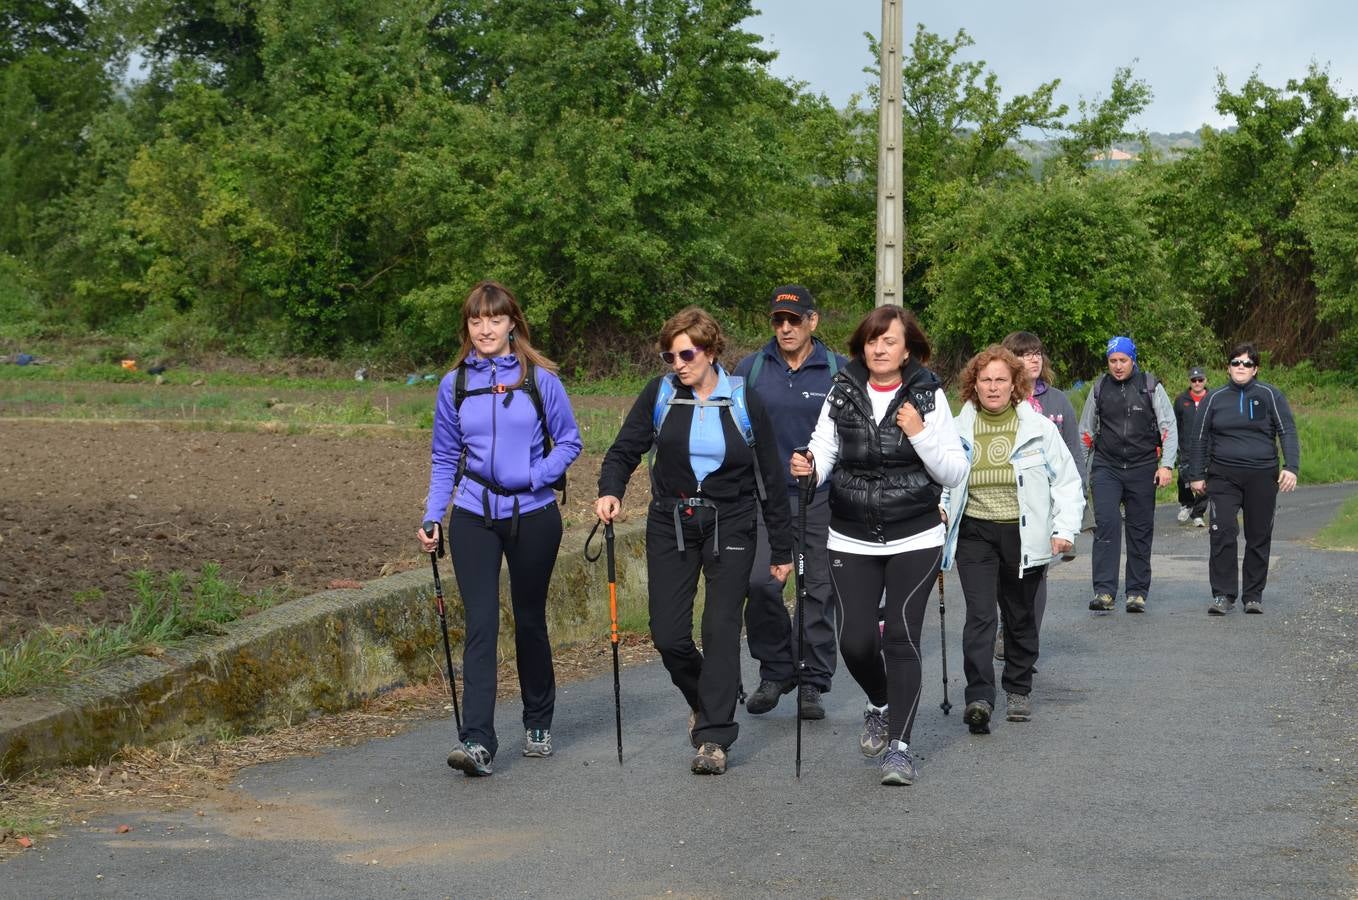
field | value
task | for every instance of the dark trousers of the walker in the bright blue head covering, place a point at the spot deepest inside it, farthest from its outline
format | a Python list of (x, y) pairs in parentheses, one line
[(1117, 491)]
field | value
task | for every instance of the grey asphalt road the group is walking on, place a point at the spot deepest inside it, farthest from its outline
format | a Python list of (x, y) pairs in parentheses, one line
[(1171, 755)]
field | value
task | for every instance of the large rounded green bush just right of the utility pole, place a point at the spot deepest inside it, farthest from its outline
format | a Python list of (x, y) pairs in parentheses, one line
[(1071, 259)]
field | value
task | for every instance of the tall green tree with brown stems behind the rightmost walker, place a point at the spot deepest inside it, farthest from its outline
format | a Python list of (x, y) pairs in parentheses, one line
[(1227, 211)]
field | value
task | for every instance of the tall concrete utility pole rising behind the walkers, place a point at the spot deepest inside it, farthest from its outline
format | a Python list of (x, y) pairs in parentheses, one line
[(892, 222)]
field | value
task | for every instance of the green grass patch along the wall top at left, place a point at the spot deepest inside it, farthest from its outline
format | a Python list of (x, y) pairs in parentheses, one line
[(168, 610)]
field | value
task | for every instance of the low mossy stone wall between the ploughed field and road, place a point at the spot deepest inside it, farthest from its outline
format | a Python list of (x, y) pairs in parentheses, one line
[(316, 655)]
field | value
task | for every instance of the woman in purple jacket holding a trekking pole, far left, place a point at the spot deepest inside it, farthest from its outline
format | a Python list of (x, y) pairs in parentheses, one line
[(492, 460)]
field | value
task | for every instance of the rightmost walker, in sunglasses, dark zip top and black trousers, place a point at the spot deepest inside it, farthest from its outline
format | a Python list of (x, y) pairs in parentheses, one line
[(1234, 460)]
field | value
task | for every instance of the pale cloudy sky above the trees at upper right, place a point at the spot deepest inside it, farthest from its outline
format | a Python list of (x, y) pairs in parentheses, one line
[(1177, 47)]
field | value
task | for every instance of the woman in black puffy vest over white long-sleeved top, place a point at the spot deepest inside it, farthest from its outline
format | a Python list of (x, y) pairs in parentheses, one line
[(887, 436)]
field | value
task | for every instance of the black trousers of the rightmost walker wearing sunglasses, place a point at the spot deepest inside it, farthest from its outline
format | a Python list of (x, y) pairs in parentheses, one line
[(1230, 492)]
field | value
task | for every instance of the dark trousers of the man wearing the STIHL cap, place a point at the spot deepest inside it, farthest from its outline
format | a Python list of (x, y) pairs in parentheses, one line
[(772, 637)]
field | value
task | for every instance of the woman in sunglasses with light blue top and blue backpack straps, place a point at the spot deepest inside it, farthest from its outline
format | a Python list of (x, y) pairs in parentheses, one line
[(715, 458)]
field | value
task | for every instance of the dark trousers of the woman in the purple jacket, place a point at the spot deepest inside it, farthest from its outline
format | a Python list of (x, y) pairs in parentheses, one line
[(477, 552)]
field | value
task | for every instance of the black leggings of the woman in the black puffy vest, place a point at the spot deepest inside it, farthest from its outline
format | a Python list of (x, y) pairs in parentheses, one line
[(886, 664)]
